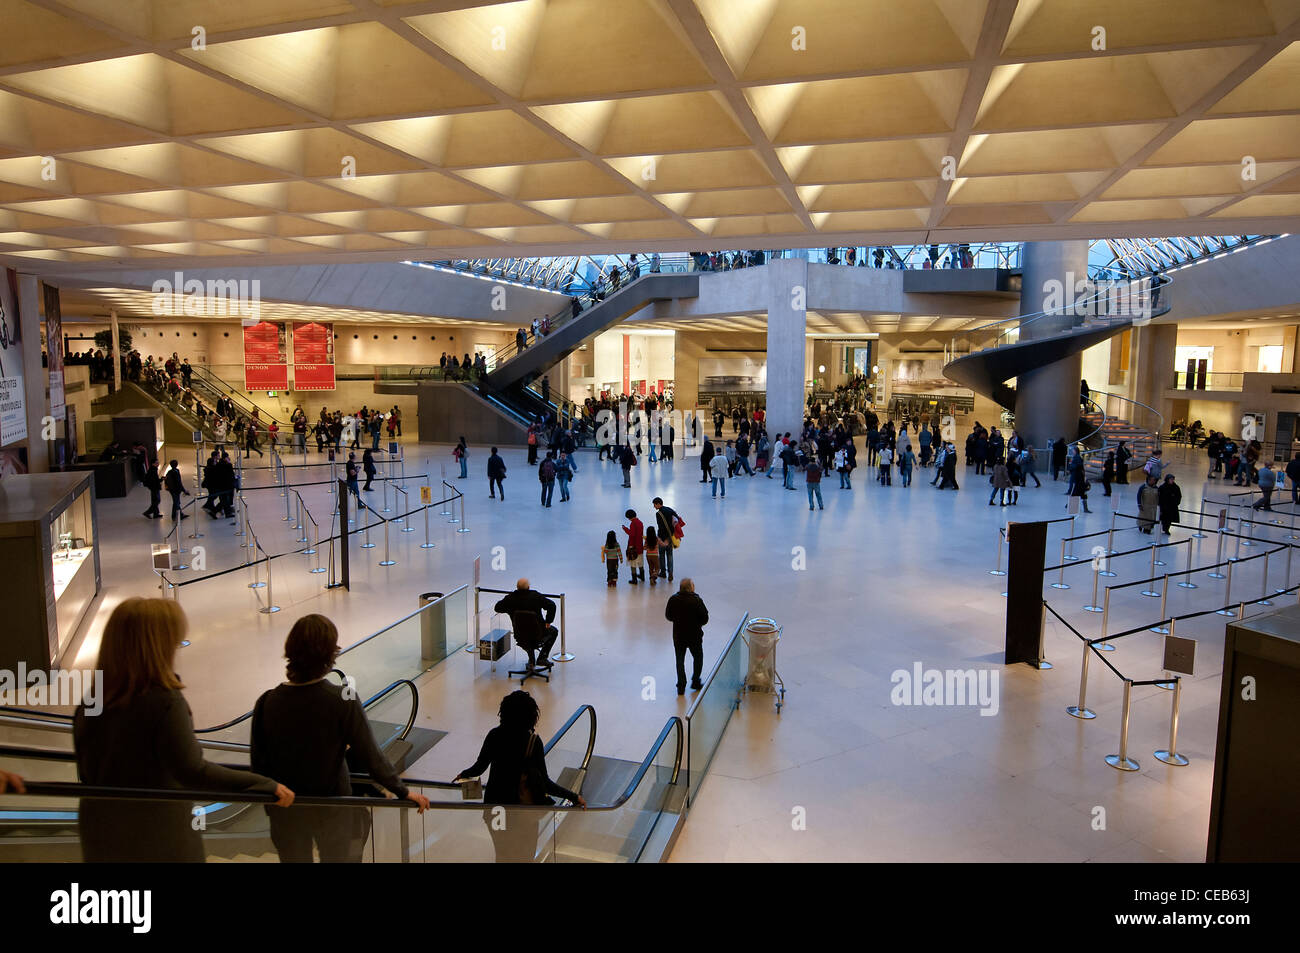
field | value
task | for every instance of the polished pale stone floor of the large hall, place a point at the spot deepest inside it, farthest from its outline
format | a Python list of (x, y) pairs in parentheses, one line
[(894, 577)]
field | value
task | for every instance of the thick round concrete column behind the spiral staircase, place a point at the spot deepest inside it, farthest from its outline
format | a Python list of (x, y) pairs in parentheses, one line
[(1047, 398)]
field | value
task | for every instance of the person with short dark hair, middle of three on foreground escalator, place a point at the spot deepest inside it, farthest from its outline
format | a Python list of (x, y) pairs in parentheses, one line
[(310, 734)]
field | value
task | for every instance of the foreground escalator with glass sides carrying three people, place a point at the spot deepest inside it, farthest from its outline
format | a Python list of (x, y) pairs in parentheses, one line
[(634, 809)]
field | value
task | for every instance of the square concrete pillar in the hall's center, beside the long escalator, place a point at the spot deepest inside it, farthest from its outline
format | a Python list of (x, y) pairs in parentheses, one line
[(787, 344)]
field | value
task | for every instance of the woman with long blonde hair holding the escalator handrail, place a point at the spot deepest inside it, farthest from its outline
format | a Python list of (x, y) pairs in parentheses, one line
[(145, 739)]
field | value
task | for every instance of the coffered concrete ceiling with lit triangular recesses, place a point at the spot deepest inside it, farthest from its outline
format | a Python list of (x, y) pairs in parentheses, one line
[(304, 131)]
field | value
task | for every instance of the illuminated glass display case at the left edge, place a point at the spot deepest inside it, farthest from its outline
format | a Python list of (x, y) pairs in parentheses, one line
[(51, 558)]
